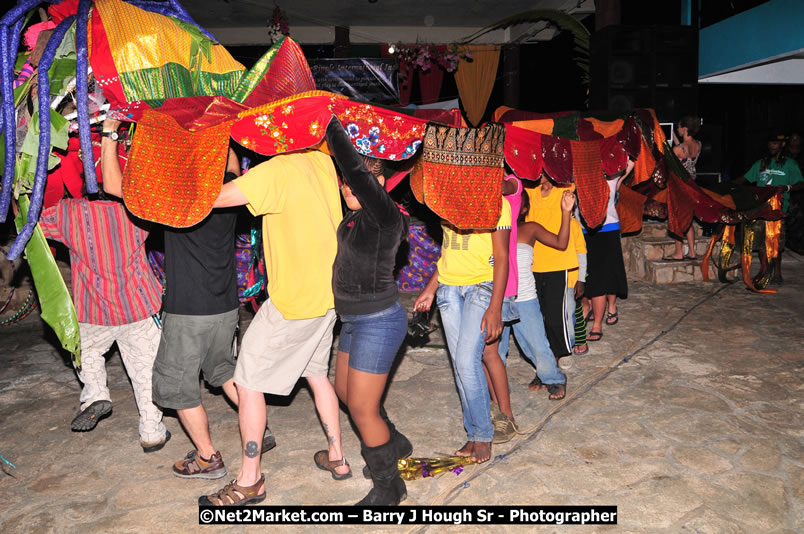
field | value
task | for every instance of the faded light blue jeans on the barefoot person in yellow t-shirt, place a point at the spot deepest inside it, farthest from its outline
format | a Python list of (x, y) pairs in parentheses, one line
[(462, 309)]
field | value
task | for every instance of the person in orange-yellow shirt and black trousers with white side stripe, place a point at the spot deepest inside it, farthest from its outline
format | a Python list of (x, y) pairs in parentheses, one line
[(551, 269)]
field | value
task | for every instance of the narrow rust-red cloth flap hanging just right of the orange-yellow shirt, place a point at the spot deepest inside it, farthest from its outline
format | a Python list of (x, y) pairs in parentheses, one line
[(593, 192)]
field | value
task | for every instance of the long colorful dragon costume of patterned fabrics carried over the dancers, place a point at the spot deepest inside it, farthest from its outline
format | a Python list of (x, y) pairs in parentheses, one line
[(147, 62)]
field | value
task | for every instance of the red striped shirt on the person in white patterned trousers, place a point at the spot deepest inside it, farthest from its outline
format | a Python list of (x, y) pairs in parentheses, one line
[(112, 282)]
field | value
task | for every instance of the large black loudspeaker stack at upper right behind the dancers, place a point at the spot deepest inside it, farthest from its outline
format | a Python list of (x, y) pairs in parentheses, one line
[(646, 66)]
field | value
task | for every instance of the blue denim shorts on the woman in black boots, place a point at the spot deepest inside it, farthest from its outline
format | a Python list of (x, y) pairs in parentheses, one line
[(372, 340)]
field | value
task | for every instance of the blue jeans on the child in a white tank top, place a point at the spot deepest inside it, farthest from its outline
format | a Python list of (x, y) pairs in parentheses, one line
[(532, 339)]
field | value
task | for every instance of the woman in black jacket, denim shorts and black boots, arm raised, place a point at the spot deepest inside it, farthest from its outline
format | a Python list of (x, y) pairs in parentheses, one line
[(374, 323)]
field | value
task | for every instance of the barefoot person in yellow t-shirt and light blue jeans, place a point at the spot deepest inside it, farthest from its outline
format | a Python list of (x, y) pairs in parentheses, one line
[(470, 281)]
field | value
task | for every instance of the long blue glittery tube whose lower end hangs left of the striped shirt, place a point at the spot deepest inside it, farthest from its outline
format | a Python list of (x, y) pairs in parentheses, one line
[(43, 94)]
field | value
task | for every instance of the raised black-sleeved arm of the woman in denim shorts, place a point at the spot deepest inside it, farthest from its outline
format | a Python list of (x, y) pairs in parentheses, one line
[(373, 197)]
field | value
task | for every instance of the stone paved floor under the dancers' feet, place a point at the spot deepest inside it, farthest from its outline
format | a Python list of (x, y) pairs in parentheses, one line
[(700, 430)]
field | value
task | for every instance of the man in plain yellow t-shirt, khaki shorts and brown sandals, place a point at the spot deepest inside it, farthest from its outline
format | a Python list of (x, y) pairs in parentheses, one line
[(291, 335)]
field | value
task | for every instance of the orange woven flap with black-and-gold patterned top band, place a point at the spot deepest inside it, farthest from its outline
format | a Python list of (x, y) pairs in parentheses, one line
[(461, 173)]
